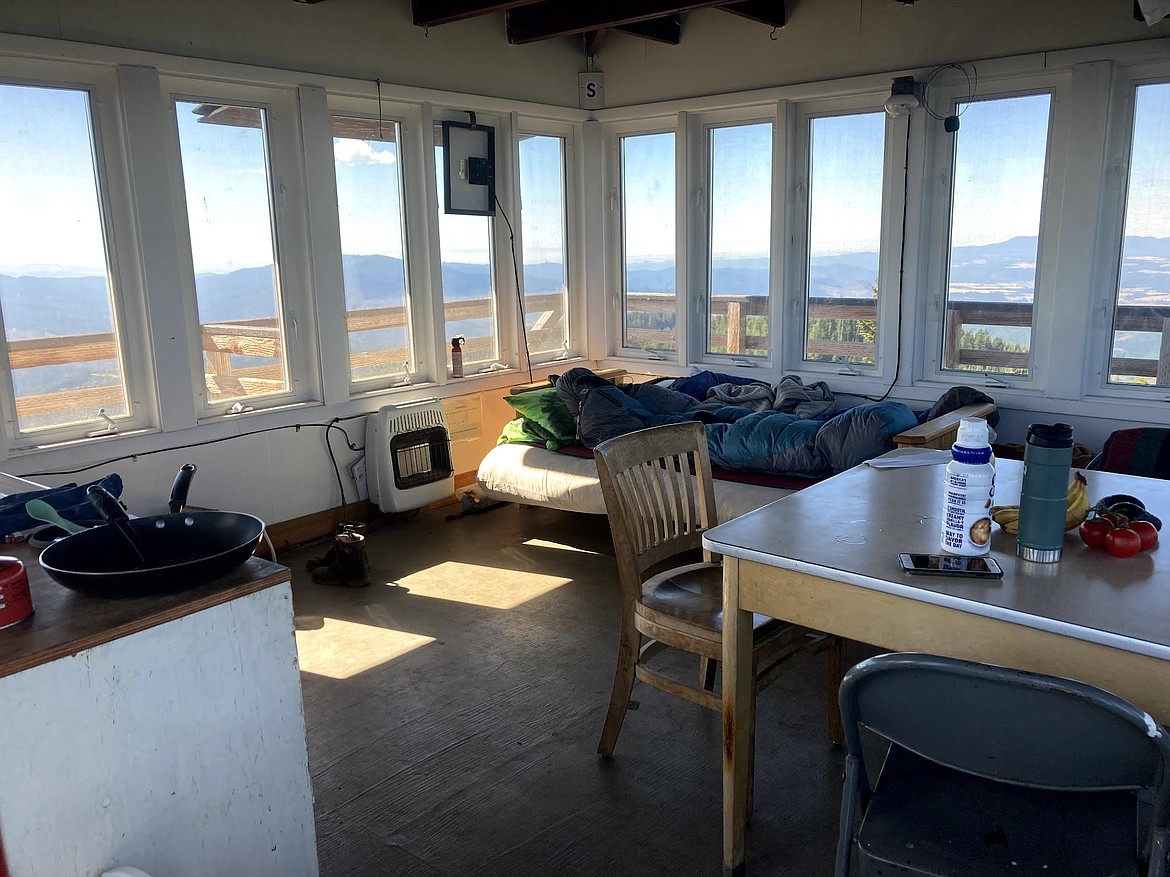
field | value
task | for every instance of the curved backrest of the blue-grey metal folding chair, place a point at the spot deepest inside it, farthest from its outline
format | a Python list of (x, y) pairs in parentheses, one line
[(1008, 726)]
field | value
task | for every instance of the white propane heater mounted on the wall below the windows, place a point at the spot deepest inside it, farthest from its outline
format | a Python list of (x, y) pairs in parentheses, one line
[(409, 457)]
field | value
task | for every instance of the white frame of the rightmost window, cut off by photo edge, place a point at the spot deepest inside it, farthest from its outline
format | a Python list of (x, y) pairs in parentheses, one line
[(1112, 227)]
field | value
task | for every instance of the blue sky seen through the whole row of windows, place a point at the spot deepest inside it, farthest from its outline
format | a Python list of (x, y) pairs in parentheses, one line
[(47, 171)]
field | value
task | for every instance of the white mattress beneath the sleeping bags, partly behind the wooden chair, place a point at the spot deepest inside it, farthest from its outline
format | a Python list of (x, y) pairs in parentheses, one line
[(535, 477)]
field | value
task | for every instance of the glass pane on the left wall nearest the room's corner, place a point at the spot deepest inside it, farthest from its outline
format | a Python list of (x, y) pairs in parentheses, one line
[(542, 189)]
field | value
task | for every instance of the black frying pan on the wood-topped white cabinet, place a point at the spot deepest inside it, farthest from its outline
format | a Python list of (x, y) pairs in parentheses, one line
[(156, 555)]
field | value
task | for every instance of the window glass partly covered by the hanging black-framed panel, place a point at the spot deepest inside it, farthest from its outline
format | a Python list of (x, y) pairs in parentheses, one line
[(469, 292)]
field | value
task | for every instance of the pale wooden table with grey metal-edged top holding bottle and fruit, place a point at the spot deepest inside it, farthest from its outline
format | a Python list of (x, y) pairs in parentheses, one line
[(827, 558)]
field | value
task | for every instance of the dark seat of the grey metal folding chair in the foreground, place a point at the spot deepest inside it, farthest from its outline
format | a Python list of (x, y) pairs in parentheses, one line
[(966, 825)]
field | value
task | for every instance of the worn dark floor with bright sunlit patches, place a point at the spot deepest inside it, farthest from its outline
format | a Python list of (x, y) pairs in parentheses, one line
[(455, 707)]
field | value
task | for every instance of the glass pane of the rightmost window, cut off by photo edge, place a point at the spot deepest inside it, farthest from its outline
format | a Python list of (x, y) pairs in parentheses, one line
[(1141, 341)]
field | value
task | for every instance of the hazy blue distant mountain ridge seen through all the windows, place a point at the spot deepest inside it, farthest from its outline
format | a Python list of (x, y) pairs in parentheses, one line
[(43, 306)]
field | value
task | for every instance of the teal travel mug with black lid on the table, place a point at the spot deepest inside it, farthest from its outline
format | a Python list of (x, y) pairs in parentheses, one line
[(1044, 496)]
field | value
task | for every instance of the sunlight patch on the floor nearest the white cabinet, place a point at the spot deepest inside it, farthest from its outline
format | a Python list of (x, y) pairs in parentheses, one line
[(341, 650)]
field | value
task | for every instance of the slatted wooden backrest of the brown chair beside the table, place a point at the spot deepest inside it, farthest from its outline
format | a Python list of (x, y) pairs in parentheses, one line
[(657, 507)]
